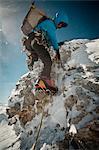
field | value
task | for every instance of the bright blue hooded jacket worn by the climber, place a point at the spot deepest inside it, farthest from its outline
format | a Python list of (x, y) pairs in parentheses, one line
[(49, 27)]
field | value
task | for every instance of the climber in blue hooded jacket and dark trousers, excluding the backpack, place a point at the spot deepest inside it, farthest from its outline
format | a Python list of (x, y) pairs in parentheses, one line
[(39, 41)]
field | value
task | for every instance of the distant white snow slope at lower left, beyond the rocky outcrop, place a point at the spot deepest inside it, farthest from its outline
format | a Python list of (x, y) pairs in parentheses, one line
[(7, 133)]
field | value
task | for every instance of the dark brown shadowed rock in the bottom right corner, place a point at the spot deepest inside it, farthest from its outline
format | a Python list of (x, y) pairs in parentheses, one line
[(86, 138)]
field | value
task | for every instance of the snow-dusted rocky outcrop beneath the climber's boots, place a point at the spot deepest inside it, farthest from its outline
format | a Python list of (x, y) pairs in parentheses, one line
[(76, 104)]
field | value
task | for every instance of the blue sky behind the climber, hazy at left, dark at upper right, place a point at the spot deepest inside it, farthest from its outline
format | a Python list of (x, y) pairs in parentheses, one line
[(83, 23)]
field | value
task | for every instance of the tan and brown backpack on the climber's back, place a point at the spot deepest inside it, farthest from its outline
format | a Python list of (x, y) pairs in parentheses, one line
[(33, 17)]
